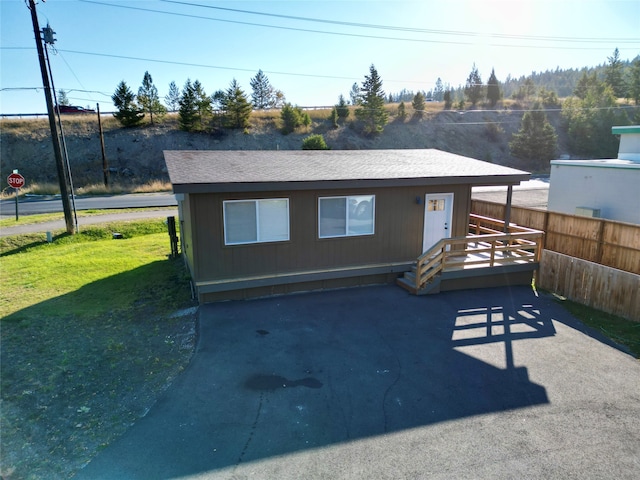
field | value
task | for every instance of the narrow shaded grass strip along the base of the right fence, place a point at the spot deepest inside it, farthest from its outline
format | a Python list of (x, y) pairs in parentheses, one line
[(622, 331)]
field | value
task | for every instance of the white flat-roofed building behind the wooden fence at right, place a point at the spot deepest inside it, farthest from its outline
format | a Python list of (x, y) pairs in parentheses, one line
[(608, 188)]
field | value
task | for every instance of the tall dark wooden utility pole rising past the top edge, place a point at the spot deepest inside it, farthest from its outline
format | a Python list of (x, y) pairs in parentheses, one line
[(57, 149)]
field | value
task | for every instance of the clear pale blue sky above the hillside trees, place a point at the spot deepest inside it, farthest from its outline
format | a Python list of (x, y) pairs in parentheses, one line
[(411, 43)]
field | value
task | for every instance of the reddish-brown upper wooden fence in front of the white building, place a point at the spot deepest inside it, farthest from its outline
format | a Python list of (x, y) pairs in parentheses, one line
[(606, 242)]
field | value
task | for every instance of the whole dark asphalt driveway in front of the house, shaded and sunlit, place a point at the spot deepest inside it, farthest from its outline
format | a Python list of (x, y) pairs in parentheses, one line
[(375, 383)]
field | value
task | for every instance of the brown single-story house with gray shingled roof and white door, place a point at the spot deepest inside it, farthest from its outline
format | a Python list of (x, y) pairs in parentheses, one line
[(256, 223)]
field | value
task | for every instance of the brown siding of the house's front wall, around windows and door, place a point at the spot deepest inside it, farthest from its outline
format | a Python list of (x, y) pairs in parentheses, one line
[(398, 233)]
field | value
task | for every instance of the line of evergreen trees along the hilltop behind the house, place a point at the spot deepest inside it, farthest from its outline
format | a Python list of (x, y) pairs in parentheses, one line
[(590, 105)]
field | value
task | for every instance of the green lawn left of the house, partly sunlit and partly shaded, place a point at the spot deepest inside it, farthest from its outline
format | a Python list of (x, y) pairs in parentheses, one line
[(88, 341)]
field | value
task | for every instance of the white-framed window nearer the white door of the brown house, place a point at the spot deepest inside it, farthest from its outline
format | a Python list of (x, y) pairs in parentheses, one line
[(346, 216)]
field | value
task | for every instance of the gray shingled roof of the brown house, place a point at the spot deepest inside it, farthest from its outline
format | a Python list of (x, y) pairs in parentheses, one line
[(200, 171)]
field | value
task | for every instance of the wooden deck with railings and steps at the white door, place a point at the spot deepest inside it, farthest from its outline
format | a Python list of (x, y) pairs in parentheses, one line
[(489, 248)]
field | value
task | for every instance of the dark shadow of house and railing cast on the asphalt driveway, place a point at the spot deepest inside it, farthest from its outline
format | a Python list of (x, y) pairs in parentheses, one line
[(280, 375)]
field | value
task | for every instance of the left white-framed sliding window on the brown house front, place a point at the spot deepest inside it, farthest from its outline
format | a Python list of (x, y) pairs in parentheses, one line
[(256, 221)]
